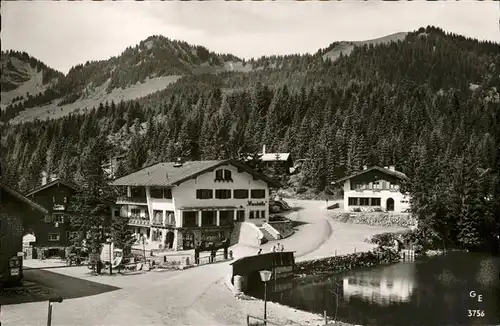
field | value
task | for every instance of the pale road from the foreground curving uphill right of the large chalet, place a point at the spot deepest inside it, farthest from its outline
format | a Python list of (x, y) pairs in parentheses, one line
[(191, 297)]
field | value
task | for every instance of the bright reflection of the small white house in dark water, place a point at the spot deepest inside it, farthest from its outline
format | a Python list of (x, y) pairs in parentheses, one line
[(393, 284)]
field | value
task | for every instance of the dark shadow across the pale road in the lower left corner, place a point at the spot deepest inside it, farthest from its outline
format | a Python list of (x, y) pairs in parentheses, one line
[(40, 285)]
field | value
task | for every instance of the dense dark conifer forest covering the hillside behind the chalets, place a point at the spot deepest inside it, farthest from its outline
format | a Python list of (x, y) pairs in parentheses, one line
[(428, 104)]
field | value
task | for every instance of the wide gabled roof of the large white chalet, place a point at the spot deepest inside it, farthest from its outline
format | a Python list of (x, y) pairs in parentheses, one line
[(168, 175)]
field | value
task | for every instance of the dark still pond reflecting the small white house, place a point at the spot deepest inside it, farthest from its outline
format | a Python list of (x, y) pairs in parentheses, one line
[(431, 291)]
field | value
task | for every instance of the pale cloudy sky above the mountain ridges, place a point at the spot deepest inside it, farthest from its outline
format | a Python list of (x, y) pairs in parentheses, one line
[(62, 34)]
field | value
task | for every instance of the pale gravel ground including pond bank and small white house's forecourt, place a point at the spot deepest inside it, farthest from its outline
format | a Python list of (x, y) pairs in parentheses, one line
[(197, 296)]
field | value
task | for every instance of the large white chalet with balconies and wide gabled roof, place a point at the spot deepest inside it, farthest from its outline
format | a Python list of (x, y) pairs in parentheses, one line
[(176, 205)]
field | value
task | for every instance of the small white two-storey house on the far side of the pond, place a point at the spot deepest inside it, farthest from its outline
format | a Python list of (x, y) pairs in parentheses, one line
[(375, 188)]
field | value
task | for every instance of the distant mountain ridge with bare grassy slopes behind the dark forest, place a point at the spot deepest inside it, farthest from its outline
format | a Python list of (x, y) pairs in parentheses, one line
[(151, 66)]
